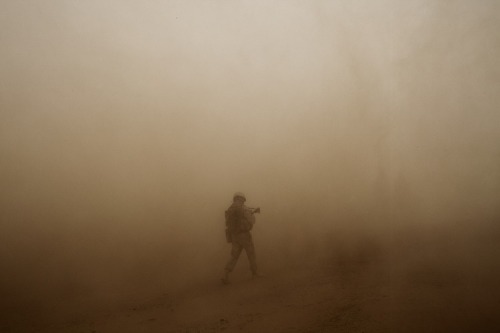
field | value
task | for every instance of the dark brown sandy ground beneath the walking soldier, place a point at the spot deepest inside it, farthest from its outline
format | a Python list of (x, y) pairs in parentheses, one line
[(327, 297)]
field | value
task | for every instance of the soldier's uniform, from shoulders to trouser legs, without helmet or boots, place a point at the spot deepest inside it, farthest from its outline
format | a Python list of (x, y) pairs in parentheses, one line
[(239, 223)]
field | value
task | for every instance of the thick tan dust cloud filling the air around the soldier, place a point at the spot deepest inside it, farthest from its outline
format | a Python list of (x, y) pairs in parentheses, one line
[(362, 129)]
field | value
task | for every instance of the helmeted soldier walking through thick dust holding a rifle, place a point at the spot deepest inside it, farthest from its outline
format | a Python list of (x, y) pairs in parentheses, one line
[(239, 221)]
